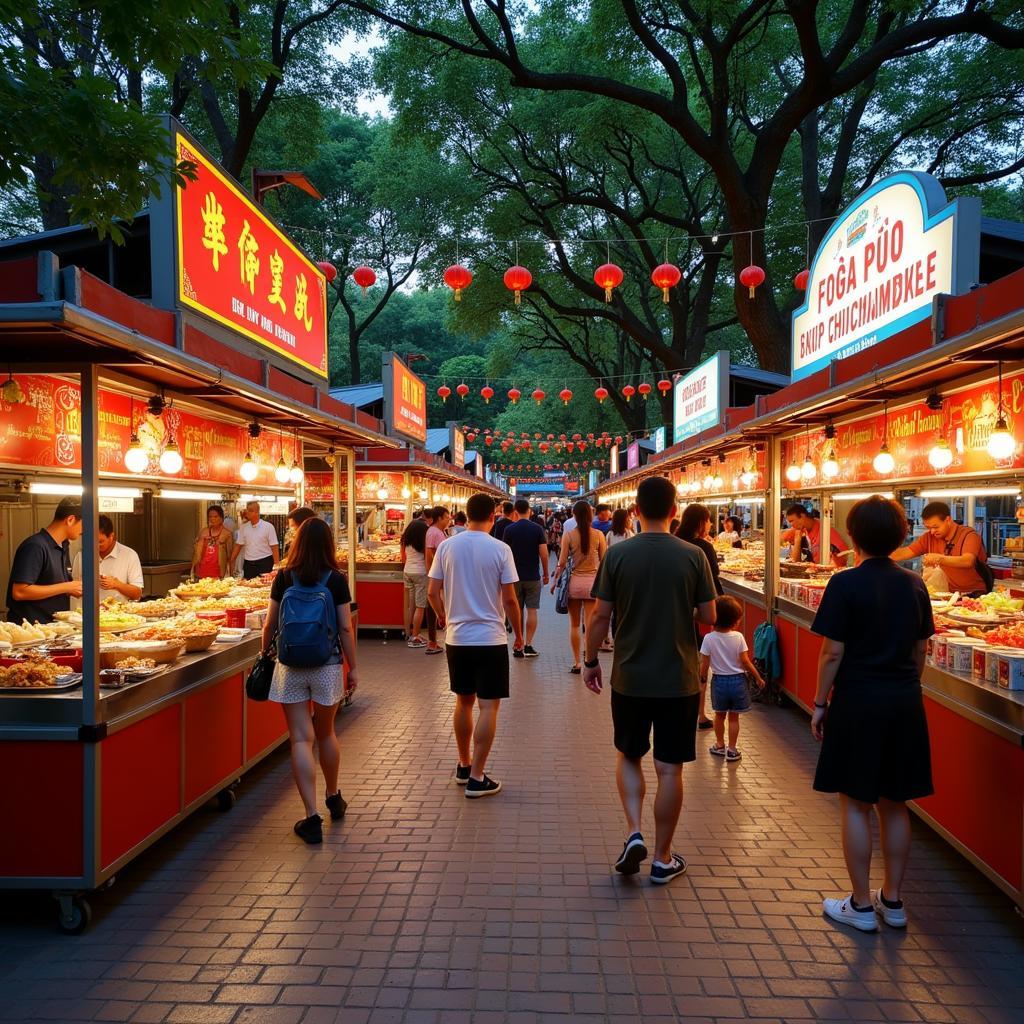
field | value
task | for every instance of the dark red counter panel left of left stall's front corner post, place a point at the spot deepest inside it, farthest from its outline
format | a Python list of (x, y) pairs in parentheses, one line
[(41, 778)]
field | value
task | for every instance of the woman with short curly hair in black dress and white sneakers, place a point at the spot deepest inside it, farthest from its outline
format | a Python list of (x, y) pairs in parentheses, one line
[(876, 621)]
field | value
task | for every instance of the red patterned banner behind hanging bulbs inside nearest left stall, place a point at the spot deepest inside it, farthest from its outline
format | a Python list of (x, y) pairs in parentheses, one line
[(46, 433)]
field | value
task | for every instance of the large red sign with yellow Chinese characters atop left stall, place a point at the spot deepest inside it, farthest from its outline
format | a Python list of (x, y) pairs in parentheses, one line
[(238, 268)]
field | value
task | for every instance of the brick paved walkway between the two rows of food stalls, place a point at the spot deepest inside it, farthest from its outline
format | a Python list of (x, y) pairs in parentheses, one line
[(424, 907)]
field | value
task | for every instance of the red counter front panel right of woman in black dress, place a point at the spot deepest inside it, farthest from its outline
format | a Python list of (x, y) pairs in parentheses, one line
[(979, 790)]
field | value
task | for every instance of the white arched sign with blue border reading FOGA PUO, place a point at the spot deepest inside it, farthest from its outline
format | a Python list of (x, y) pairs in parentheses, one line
[(897, 247)]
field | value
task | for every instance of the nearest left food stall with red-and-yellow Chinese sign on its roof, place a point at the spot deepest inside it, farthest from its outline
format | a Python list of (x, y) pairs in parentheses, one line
[(131, 718)]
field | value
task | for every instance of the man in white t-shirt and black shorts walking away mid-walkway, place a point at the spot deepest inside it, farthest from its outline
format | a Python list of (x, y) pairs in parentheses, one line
[(473, 589)]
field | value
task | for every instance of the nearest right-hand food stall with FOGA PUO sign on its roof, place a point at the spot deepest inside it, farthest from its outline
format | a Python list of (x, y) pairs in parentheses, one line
[(922, 400)]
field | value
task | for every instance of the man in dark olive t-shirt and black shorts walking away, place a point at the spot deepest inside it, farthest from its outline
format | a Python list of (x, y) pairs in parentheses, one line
[(655, 583)]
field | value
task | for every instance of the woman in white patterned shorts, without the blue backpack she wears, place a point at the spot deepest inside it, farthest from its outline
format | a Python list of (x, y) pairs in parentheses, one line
[(311, 561)]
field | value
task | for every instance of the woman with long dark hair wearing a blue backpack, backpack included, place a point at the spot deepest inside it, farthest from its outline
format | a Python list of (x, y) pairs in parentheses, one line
[(310, 620)]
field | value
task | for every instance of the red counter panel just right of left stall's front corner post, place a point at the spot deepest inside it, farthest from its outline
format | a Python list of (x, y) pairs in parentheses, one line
[(140, 778)]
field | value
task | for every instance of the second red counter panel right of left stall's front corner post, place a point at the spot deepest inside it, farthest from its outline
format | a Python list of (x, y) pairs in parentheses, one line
[(214, 736)]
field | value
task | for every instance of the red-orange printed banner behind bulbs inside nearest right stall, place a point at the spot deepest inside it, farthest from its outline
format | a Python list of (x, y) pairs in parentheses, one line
[(966, 421)]
